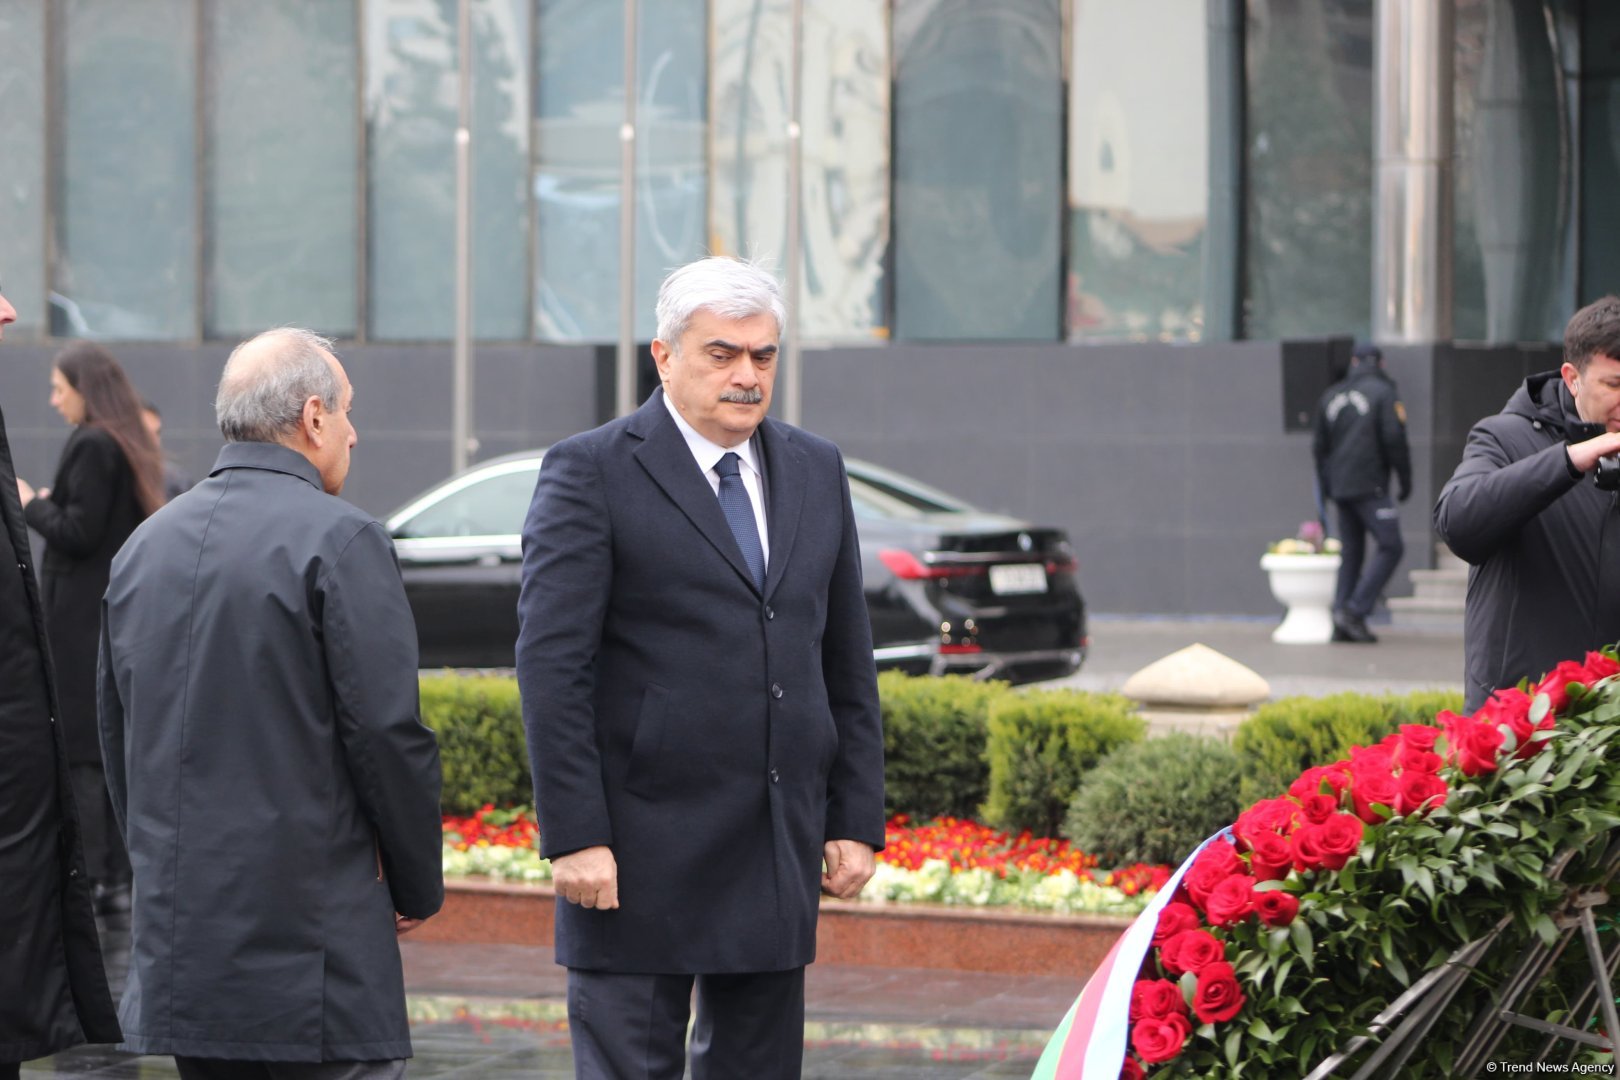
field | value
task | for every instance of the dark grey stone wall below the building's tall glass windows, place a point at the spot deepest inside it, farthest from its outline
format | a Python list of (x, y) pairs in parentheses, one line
[(1169, 464)]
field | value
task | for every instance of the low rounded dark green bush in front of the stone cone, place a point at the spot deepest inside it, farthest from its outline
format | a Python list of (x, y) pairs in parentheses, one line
[(1156, 801)]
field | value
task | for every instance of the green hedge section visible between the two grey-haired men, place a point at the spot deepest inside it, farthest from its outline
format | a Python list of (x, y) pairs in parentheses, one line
[(480, 728)]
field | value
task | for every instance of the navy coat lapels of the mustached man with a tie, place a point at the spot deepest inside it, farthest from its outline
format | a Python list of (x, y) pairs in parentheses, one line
[(663, 453)]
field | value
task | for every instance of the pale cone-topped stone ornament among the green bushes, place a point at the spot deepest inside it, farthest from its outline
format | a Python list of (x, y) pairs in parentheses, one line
[(1196, 691)]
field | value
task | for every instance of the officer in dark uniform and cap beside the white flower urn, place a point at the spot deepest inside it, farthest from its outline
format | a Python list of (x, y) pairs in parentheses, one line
[(1360, 441)]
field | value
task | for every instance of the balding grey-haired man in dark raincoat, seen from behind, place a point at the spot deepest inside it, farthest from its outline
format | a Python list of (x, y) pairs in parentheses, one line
[(265, 755)]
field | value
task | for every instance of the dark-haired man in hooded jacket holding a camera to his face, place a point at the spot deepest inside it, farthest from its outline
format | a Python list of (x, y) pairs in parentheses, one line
[(1543, 543)]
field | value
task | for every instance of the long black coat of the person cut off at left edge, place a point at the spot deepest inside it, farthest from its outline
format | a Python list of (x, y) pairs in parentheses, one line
[(53, 985)]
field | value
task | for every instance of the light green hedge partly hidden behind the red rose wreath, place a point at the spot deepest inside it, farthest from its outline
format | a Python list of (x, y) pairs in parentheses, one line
[(1287, 738)]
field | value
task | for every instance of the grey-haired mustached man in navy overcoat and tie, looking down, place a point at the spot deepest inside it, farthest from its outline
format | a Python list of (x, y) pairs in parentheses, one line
[(701, 700)]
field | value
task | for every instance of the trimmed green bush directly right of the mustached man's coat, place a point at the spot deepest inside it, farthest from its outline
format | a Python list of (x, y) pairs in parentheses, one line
[(934, 744)]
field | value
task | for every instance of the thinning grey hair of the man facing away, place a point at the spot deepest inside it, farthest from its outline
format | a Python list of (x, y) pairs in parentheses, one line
[(266, 383)]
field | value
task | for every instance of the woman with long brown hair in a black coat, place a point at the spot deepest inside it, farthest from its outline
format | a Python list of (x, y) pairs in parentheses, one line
[(111, 478)]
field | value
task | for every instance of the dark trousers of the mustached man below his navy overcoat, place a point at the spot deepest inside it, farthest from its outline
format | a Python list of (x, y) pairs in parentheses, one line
[(634, 1027)]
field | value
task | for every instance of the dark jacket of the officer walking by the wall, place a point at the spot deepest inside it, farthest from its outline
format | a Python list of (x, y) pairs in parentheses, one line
[(1362, 438)]
